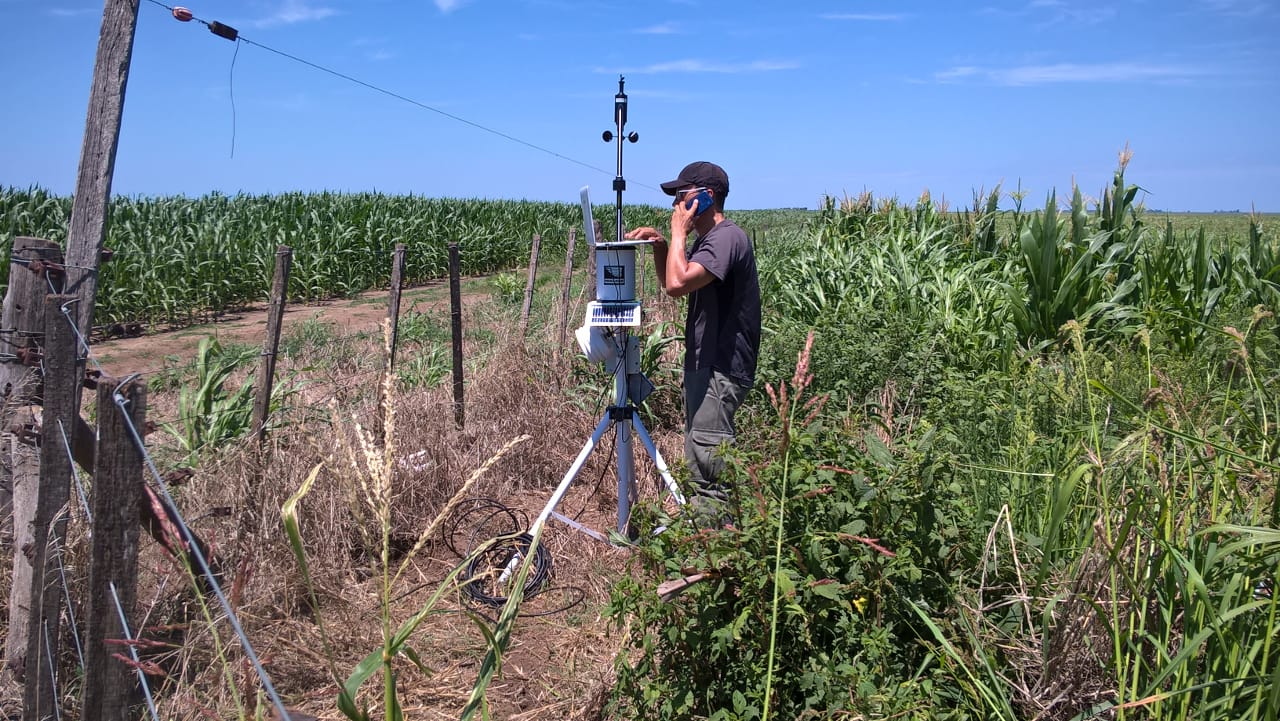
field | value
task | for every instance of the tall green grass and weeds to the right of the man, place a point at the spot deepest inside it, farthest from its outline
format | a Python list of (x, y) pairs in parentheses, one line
[(1062, 422)]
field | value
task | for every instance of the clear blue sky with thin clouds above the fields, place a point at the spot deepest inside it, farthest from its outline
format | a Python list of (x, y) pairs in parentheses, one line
[(797, 101)]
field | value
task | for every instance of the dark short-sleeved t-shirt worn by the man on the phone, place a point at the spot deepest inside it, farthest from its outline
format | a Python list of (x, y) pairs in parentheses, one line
[(723, 330)]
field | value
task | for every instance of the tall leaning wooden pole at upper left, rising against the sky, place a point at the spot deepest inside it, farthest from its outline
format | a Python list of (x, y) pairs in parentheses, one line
[(88, 230)]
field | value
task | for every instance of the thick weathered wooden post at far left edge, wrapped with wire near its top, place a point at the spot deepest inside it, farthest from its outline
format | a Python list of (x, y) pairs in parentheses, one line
[(24, 330)]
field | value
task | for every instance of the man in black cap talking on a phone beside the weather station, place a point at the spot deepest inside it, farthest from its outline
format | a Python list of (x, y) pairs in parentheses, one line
[(723, 330)]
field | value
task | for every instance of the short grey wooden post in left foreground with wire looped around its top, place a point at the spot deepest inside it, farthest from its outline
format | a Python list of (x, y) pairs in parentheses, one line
[(115, 554)]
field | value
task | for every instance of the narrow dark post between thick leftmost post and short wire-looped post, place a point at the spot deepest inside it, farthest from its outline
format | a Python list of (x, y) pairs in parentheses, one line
[(44, 631)]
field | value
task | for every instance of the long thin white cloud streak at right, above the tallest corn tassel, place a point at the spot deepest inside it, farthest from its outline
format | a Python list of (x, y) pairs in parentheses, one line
[(1073, 74)]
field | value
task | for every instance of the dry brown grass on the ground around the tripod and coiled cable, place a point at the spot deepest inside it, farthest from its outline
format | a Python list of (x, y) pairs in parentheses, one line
[(559, 667)]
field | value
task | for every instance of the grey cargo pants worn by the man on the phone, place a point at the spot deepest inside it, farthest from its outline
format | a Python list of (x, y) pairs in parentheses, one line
[(711, 401)]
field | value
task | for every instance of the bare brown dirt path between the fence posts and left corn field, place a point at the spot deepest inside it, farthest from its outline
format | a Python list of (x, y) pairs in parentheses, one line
[(144, 354)]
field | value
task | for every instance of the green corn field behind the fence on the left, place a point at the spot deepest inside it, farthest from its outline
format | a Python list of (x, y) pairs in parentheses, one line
[(179, 261)]
